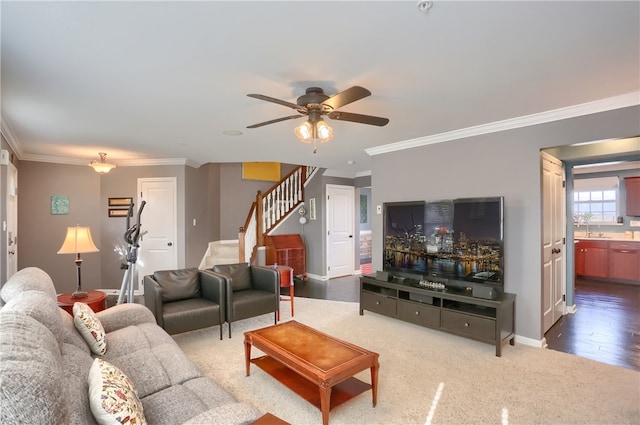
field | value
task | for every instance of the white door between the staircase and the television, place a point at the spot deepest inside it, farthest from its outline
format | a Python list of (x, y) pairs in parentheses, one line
[(340, 224)]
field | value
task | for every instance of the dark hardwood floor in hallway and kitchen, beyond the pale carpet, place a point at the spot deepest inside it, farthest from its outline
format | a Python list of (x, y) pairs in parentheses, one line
[(605, 328)]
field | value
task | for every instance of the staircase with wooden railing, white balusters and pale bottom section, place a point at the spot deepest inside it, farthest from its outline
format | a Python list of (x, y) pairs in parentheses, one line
[(268, 210)]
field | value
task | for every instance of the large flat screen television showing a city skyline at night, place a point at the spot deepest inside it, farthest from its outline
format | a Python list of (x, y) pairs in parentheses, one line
[(458, 241)]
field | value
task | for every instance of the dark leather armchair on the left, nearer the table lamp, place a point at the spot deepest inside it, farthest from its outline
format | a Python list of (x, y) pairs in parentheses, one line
[(186, 299)]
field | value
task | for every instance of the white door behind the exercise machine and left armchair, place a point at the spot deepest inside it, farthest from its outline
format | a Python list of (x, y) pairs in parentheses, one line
[(159, 226)]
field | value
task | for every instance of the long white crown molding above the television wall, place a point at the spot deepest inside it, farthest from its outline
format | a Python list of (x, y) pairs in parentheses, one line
[(603, 105)]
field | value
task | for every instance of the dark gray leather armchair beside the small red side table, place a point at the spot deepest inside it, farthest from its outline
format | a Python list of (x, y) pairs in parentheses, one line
[(250, 291)]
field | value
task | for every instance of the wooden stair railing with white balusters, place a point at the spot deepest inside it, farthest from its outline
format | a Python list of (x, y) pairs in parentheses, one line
[(270, 208)]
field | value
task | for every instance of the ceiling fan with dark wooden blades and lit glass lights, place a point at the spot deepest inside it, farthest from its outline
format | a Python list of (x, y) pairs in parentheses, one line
[(315, 104)]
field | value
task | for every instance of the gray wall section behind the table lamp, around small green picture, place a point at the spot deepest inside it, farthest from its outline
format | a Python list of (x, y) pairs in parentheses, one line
[(41, 233)]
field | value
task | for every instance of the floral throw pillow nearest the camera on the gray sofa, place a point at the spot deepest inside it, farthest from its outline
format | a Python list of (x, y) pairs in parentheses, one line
[(112, 396)]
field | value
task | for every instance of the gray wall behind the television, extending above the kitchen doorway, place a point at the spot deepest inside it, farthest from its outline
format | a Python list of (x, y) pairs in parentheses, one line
[(505, 163)]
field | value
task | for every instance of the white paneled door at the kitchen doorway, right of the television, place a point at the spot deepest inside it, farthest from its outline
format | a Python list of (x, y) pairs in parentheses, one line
[(553, 240)]
